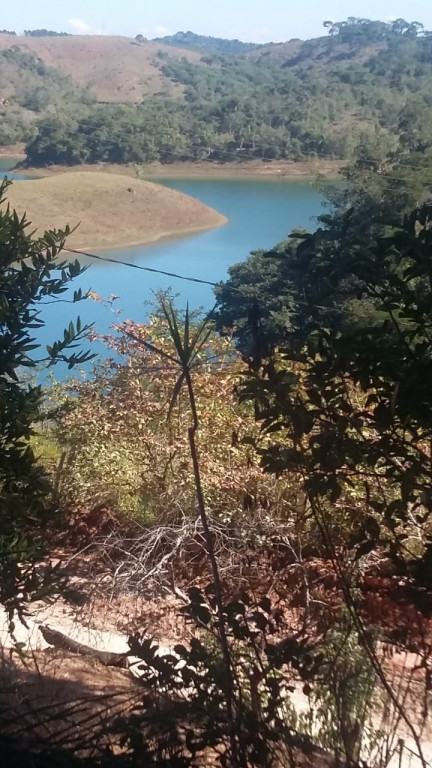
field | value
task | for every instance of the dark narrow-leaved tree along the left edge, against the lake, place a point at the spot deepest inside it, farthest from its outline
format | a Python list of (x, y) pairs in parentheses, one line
[(30, 275)]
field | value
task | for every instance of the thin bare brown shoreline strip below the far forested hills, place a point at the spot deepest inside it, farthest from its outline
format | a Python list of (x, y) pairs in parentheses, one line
[(255, 170)]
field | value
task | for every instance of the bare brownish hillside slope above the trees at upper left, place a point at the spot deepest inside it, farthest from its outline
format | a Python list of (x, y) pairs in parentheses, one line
[(116, 68)]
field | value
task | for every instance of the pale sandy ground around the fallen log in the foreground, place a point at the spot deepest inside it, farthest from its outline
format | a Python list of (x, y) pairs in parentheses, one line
[(58, 669)]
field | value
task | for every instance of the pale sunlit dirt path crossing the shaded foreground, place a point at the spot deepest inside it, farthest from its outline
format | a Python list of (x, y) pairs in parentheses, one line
[(75, 664)]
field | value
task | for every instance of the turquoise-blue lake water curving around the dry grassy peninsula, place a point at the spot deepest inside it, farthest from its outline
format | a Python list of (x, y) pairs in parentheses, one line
[(261, 213)]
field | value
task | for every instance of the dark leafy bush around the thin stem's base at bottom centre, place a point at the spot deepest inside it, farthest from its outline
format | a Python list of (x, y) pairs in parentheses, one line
[(194, 711)]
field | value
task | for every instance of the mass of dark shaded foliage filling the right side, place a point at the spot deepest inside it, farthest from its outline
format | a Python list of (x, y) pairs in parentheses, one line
[(336, 332)]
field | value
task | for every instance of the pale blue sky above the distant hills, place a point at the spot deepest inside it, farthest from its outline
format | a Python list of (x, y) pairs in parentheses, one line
[(256, 20)]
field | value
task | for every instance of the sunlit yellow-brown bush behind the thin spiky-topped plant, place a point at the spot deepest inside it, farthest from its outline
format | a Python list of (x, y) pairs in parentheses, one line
[(121, 452)]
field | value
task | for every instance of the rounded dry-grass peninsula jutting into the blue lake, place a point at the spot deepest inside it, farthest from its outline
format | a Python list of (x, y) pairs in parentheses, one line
[(111, 210)]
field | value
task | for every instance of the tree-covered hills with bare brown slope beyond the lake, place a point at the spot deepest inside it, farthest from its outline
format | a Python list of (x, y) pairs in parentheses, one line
[(363, 84)]
